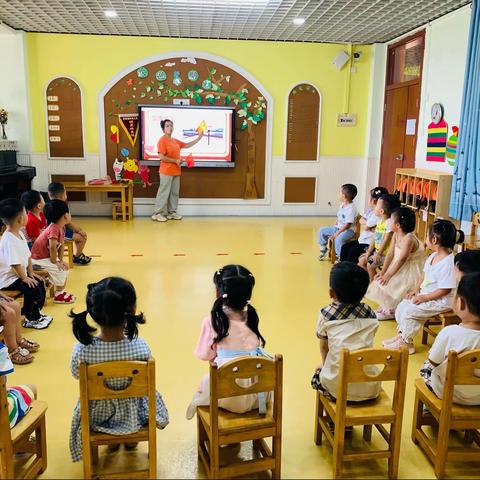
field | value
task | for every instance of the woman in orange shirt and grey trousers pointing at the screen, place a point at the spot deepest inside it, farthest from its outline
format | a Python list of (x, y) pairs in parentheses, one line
[(166, 202)]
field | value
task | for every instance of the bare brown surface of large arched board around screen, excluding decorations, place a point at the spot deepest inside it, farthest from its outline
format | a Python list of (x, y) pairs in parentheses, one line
[(195, 182)]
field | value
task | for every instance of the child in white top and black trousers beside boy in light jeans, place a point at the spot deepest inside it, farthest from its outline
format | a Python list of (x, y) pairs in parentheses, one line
[(352, 250)]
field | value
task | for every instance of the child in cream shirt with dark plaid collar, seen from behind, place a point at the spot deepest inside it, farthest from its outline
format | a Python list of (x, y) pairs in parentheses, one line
[(345, 323)]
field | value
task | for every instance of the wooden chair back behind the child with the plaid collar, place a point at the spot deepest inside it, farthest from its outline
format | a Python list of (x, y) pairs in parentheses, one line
[(353, 370)]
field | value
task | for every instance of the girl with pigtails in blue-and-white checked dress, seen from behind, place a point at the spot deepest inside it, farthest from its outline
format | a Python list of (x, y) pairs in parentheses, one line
[(112, 304)]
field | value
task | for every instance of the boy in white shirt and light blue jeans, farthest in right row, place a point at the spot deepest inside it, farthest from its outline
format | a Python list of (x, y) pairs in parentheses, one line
[(344, 229)]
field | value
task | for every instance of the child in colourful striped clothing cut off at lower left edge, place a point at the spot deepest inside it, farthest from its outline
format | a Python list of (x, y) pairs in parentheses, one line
[(19, 397)]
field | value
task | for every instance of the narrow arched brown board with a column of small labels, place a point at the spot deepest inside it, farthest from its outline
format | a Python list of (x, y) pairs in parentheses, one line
[(63, 104)]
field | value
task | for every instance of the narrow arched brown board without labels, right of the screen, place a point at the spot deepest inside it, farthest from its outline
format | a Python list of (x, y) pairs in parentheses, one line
[(302, 135)]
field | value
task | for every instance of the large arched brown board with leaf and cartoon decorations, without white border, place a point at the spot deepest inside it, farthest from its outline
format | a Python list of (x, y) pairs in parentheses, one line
[(202, 82)]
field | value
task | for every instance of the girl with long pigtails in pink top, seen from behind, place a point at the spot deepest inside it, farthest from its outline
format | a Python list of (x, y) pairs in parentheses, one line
[(229, 332)]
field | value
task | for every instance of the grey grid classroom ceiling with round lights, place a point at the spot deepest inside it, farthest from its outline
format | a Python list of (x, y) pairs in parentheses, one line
[(338, 21)]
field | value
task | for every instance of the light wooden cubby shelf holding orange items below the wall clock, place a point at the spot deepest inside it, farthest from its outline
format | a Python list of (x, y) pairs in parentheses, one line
[(424, 181)]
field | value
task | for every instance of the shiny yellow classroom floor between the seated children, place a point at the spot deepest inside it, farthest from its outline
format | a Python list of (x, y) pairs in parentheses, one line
[(176, 292)]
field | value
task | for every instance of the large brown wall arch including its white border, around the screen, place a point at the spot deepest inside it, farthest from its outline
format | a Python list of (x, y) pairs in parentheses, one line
[(253, 137)]
